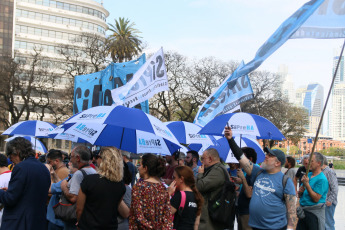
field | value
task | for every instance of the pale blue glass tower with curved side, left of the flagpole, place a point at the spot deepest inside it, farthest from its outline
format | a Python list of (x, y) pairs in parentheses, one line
[(313, 102)]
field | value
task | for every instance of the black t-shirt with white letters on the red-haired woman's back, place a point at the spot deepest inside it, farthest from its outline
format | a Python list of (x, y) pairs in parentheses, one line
[(187, 219)]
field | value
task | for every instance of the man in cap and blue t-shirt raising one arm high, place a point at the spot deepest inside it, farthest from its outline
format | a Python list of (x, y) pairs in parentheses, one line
[(270, 193)]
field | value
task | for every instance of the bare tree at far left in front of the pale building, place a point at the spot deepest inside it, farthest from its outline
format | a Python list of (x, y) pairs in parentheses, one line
[(28, 88)]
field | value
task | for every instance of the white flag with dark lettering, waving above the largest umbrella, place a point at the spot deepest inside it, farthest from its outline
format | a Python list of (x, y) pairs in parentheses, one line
[(150, 79)]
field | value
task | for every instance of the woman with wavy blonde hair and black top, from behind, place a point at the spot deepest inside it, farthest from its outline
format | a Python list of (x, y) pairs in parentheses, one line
[(101, 194)]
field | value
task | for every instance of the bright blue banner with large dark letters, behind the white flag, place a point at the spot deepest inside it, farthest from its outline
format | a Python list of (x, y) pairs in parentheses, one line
[(94, 89)]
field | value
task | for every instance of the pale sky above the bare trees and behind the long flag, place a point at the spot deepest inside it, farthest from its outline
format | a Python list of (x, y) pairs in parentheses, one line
[(228, 30)]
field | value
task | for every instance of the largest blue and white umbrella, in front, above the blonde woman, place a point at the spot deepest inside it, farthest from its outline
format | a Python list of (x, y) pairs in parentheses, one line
[(125, 128)]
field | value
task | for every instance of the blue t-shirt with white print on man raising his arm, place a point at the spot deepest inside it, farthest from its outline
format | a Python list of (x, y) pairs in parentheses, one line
[(267, 209)]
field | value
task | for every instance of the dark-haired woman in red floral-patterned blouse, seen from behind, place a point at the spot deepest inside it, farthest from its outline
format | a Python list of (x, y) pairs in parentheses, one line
[(150, 207)]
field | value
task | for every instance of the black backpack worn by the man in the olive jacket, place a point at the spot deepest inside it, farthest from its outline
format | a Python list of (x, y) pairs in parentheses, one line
[(222, 208)]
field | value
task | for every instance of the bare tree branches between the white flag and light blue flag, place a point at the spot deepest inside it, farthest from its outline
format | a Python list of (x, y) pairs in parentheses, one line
[(190, 83)]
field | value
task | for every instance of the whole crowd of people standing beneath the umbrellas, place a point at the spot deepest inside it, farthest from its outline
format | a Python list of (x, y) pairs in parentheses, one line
[(105, 190)]
